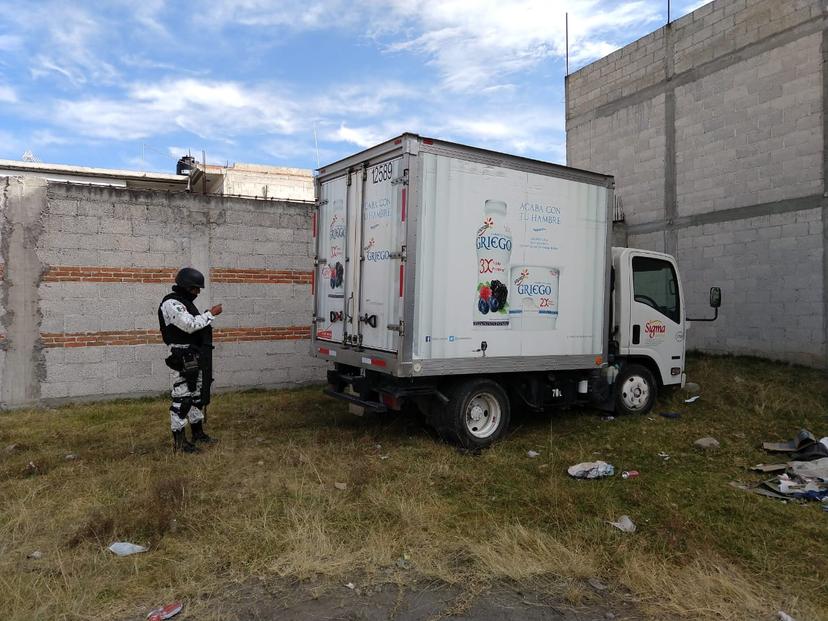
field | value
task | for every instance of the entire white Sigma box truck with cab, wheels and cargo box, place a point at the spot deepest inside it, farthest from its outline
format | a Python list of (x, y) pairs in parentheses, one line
[(466, 282)]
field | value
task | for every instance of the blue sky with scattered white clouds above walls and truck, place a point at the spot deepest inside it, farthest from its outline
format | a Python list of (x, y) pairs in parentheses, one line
[(100, 83)]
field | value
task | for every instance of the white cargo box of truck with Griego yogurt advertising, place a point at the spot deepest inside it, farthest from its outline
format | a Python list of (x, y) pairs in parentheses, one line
[(434, 258)]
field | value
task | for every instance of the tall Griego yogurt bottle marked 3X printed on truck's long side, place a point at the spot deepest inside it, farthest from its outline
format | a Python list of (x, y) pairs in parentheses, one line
[(494, 250)]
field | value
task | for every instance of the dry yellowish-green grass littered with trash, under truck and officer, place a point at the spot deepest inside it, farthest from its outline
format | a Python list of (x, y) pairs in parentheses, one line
[(263, 503)]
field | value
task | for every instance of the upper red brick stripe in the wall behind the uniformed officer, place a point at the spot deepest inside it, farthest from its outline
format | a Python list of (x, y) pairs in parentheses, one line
[(166, 275)]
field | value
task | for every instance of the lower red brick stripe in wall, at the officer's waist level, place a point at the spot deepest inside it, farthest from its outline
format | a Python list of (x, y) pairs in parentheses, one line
[(151, 337)]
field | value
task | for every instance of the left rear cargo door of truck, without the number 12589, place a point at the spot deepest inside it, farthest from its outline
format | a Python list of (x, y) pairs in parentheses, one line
[(332, 235)]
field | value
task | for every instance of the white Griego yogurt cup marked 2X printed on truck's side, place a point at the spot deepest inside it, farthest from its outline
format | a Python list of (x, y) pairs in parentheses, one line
[(533, 291)]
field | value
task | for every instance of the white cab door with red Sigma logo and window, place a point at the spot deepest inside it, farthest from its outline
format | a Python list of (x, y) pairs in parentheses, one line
[(656, 315)]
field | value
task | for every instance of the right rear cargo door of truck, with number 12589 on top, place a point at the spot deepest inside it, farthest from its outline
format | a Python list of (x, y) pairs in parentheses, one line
[(382, 257)]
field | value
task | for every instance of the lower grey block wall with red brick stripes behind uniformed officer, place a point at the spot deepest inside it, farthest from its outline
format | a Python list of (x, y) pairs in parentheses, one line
[(85, 268)]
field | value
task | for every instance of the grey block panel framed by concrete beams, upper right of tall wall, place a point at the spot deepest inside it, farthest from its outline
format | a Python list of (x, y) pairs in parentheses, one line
[(752, 132)]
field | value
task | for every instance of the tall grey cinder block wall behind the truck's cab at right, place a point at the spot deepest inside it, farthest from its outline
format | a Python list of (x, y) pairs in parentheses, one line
[(714, 128)]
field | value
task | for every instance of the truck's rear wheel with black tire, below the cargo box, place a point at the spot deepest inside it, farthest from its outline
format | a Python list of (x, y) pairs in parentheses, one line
[(476, 415)]
